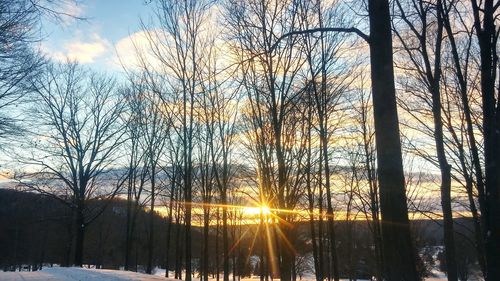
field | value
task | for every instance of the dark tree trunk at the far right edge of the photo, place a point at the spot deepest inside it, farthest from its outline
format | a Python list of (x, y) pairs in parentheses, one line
[(487, 37)]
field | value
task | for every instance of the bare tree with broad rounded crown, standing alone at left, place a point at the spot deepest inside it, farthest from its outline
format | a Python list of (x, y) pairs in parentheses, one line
[(74, 142)]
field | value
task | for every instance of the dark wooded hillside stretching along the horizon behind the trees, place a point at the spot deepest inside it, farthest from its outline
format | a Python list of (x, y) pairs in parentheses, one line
[(37, 229)]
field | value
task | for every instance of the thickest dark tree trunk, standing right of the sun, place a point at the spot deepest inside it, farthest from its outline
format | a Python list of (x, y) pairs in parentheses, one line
[(399, 253)]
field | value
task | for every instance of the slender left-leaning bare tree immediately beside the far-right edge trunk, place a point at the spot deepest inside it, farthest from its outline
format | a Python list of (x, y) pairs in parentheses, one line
[(459, 85)]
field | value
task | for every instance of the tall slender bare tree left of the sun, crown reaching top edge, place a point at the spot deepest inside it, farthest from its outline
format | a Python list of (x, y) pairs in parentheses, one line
[(177, 44)]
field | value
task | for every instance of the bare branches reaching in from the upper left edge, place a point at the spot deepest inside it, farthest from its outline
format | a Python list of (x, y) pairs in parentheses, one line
[(19, 61)]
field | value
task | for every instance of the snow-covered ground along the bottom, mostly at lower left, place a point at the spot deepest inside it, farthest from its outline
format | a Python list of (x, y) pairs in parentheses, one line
[(84, 274)]
